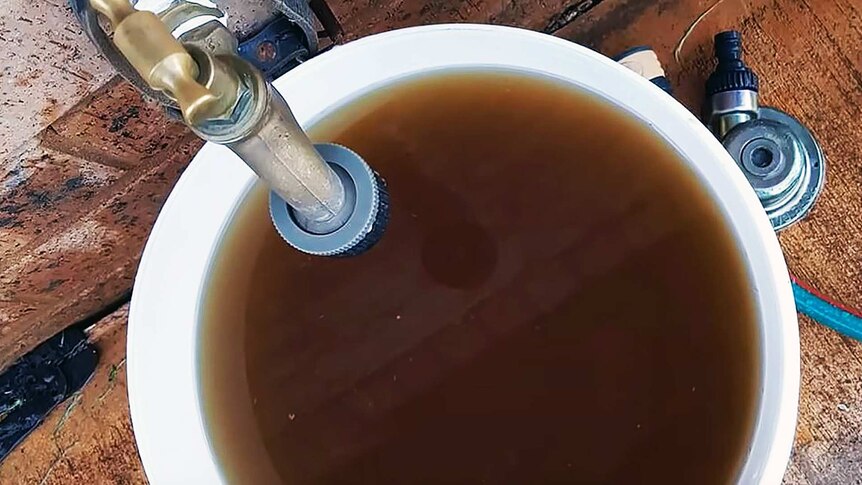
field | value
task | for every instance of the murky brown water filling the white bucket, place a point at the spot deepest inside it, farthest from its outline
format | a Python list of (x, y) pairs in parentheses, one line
[(555, 300)]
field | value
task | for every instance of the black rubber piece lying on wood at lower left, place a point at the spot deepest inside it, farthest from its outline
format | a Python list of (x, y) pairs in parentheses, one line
[(39, 381)]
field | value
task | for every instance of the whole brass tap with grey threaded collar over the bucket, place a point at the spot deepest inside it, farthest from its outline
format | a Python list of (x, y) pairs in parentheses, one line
[(332, 206)]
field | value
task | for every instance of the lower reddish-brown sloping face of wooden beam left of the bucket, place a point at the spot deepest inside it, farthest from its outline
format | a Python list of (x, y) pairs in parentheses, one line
[(64, 276)]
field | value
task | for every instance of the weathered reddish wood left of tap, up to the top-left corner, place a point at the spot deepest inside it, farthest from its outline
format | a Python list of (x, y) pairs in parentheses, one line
[(85, 164)]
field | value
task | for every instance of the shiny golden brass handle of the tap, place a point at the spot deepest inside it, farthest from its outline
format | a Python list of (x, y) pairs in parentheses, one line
[(162, 61)]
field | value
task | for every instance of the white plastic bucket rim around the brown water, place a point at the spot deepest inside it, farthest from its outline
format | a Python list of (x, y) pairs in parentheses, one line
[(162, 352)]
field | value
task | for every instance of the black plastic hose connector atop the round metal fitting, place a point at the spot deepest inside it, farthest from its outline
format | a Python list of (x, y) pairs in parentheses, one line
[(731, 73)]
